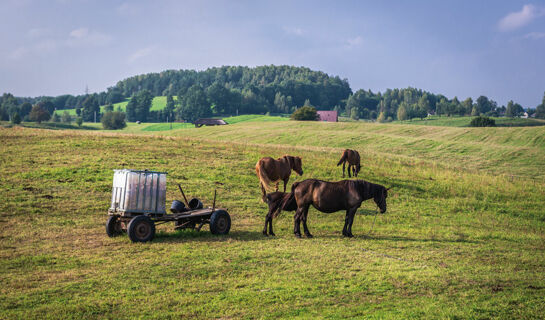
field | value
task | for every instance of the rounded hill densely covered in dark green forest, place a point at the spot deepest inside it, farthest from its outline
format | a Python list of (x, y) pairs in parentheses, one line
[(259, 89)]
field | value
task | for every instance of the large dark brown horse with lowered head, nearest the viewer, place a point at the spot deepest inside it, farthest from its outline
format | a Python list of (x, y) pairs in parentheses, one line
[(334, 196)]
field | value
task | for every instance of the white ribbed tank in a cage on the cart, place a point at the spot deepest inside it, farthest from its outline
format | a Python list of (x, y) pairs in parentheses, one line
[(139, 191)]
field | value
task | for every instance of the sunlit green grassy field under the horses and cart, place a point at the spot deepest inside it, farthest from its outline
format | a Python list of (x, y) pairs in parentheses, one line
[(464, 235)]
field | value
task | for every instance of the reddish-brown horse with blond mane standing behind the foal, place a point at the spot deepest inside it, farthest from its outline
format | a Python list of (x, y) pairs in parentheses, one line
[(270, 170)]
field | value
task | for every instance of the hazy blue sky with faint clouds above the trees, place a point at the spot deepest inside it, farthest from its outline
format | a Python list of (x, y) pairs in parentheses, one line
[(456, 48)]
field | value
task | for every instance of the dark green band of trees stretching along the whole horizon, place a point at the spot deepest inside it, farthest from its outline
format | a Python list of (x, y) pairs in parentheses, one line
[(232, 90)]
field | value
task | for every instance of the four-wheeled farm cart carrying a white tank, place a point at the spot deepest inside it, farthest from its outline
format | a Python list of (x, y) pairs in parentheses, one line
[(138, 204)]
